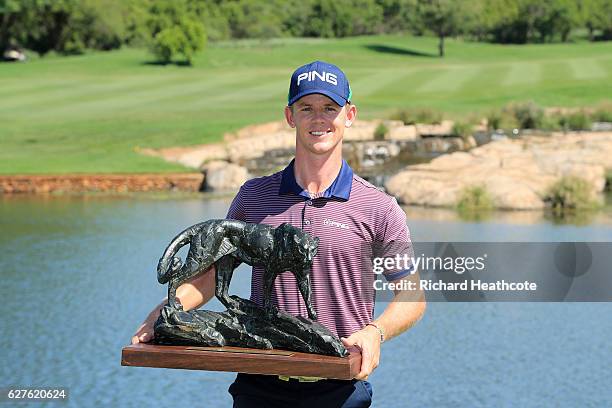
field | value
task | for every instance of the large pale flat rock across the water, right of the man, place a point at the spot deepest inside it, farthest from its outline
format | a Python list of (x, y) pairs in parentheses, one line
[(517, 173)]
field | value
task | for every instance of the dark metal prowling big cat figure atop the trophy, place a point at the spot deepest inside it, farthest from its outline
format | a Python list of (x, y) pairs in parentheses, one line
[(228, 243)]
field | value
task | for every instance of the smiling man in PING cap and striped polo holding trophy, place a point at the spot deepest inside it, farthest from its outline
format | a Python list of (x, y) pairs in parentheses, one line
[(319, 193)]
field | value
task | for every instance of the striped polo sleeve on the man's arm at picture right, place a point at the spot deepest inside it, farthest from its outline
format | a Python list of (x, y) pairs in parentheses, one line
[(394, 242)]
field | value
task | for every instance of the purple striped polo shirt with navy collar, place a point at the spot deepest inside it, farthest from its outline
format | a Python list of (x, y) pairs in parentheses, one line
[(348, 217)]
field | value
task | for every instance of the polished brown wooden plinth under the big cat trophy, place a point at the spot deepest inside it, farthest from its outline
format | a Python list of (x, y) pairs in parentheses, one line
[(241, 360)]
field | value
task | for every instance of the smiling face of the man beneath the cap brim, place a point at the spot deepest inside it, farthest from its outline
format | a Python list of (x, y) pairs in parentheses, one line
[(319, 122)]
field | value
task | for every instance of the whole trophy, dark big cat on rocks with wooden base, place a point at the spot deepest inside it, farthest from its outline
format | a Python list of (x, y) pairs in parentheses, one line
[(247, 337)]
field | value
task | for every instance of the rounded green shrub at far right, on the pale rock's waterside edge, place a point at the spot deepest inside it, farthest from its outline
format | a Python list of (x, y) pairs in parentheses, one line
[(570, 192)]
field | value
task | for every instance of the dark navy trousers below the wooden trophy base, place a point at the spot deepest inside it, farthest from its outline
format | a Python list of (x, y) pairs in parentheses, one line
[(255, 391)]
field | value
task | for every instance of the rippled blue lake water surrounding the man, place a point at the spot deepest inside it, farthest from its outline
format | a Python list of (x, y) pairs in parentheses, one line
[(79, 276)]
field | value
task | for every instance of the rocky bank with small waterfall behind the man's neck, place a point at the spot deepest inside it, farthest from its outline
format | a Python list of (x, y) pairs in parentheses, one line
[(262, 149)]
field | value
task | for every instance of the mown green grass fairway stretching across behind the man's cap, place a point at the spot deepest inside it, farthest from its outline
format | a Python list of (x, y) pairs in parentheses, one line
[(91, 113)]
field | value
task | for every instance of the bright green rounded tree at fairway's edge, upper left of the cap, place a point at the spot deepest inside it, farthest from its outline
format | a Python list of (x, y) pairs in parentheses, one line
[(174, 31)]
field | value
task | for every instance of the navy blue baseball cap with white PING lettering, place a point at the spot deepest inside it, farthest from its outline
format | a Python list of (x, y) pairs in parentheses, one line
[(322, 78)]
